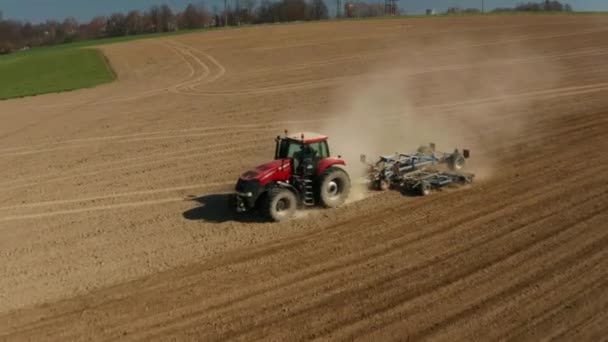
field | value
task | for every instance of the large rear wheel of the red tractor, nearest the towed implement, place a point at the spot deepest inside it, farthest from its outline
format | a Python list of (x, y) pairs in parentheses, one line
[(333, 188)]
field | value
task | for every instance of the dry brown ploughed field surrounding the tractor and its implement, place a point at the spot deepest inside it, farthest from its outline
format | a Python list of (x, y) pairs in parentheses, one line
[(113, 215)]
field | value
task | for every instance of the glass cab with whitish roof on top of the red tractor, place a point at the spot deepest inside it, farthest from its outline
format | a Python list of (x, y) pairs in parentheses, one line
[(305, 150)]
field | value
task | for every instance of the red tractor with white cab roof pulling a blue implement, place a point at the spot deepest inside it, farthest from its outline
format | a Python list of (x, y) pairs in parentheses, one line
[(301, 174)]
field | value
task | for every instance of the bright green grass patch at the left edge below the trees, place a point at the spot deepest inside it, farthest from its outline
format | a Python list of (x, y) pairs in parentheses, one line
[(52, 70)]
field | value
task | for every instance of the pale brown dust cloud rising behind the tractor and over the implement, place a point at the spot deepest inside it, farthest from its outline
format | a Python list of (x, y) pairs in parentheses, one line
[(465, 101)]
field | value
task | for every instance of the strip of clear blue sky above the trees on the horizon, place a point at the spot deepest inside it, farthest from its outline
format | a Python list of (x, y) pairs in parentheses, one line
[(39, 10)]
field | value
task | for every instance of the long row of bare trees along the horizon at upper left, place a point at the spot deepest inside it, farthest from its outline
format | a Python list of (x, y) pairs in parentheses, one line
[(17, 35)]
